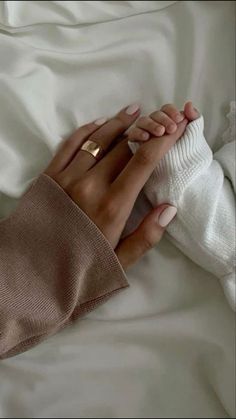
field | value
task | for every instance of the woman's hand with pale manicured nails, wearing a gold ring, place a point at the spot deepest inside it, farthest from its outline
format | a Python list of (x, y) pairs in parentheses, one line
[(106, 190)]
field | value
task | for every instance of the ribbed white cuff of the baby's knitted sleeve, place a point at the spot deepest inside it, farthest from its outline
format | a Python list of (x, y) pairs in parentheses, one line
[(189, 157)]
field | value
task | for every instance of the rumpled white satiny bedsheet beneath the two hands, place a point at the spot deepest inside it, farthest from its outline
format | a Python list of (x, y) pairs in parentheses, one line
[(165, 346)]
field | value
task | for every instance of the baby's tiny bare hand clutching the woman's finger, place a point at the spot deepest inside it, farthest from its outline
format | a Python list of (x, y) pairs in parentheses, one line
[(164, 121)]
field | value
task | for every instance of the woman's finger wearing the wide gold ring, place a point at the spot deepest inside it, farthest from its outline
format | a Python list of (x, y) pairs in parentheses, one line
[(104, 137)]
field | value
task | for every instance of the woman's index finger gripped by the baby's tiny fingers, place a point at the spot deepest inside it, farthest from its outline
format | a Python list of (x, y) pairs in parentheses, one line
[(136, 173)]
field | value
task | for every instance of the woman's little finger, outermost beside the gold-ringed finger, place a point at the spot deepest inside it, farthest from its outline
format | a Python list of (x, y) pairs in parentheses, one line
[(69, 147)]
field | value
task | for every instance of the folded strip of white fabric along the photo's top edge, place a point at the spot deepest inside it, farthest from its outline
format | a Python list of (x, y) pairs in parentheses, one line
[(17, 14)]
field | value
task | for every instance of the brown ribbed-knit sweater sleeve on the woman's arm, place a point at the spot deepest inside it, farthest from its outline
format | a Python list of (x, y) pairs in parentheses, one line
[(55, 265)]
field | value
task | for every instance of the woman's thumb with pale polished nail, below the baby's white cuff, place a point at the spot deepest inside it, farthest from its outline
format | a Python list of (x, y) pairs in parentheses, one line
[(146, 236)]
